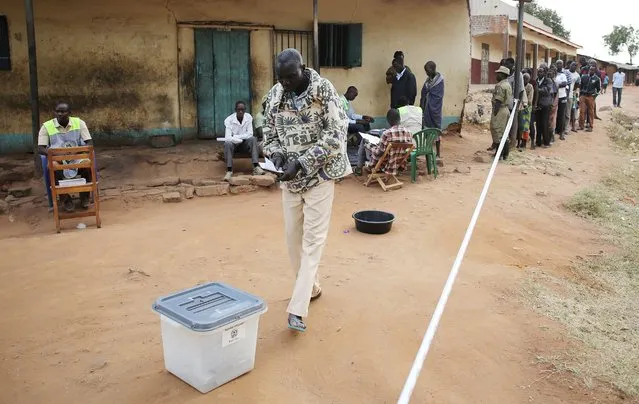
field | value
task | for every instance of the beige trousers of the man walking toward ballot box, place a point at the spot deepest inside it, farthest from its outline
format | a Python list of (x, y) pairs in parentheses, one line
[(306, 219)]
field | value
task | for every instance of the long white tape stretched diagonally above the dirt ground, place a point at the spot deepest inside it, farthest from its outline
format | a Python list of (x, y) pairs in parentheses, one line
[(409, 386)]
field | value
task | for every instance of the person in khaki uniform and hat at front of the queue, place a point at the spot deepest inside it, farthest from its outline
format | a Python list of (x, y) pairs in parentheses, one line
[(502, 97)]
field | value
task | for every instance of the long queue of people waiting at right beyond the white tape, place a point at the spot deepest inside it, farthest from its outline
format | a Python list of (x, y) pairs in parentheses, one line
[(558, 100)]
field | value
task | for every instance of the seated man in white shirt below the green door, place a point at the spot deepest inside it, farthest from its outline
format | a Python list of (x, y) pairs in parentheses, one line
[(238, 137)]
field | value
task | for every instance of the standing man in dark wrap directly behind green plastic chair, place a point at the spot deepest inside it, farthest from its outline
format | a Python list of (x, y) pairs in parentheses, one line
[(432, 100)]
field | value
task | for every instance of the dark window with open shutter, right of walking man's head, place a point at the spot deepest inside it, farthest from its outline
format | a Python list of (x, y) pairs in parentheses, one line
[(340, 45)]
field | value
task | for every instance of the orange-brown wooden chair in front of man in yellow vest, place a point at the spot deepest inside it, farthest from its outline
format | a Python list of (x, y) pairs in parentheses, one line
[(57, 155)]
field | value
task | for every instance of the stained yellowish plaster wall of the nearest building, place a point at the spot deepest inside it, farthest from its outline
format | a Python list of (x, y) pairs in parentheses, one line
[(128, 67)]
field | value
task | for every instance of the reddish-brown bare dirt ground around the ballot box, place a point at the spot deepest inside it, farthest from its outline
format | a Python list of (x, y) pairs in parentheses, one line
[(77, 324)]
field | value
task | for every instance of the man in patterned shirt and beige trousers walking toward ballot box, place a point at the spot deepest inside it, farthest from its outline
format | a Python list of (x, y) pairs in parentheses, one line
[(305, 136)]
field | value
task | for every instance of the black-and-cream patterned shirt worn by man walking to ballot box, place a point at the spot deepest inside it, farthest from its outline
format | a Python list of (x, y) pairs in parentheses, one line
[(310, 127)]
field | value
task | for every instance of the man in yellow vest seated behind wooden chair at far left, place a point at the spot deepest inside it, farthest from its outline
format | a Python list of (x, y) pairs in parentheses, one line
[(66, 131)]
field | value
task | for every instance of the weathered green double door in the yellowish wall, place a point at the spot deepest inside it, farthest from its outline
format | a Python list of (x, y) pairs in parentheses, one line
[(222, 77)]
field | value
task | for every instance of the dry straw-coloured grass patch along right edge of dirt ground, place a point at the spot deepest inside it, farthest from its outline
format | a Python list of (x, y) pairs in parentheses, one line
[(599, 305)]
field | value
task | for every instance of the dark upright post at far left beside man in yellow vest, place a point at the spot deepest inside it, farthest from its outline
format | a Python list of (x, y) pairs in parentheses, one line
[(33, 81)]
